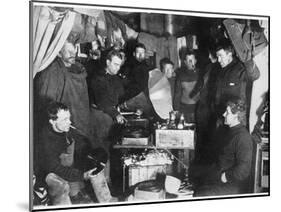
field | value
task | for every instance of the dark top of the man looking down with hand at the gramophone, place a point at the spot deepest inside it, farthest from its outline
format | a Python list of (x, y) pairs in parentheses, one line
[(107, 91)]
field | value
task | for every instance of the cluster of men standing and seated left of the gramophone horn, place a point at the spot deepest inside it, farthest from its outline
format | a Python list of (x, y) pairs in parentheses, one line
[(64, 87)]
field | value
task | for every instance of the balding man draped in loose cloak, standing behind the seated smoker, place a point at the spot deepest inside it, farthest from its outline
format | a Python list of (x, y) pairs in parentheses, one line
[(64, 80)]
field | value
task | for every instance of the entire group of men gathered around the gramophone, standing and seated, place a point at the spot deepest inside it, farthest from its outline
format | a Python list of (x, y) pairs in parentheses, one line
[(92, 103)]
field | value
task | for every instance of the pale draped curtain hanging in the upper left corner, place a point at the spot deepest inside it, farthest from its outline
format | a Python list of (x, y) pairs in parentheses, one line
[(50, 30)]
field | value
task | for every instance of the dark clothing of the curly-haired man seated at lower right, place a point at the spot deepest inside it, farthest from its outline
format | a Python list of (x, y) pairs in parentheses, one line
[(234, 151)]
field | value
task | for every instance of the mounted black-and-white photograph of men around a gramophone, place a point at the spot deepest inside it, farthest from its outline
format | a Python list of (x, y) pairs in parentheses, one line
[(134, 105)]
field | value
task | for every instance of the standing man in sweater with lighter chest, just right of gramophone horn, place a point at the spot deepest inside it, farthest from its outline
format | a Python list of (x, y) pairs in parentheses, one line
[(186, 80)]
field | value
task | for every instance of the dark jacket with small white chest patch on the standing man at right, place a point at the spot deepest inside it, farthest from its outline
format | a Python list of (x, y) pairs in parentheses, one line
[(231, 81)]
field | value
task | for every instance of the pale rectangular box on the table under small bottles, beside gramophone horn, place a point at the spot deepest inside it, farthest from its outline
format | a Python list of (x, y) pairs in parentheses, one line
[(174, 138)]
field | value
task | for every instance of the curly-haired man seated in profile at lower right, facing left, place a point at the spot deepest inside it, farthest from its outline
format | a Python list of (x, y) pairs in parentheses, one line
[(230, 174)]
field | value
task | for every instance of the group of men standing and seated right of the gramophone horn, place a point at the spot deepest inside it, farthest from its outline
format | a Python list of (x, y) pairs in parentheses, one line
[(215, 98)]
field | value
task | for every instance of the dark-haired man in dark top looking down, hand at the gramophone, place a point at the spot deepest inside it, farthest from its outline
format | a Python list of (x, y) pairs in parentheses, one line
[(107, 90)]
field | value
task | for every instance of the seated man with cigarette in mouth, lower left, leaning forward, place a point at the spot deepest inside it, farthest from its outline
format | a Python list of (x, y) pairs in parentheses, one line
[(65, 158)]
